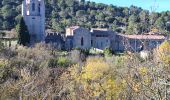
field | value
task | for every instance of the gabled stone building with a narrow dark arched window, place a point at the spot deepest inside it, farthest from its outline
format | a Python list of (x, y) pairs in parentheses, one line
[(78, 37)]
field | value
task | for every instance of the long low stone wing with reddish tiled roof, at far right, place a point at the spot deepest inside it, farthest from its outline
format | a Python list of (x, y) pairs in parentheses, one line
[(137, 43)]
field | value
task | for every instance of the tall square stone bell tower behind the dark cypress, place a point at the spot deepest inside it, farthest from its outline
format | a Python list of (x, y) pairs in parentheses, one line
[(33, 12)]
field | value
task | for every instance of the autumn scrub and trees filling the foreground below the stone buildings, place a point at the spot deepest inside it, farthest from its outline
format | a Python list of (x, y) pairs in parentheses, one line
[(42, 73)]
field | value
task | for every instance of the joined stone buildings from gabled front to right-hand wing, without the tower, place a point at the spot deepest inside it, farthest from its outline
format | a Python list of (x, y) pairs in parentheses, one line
[(77, 37)]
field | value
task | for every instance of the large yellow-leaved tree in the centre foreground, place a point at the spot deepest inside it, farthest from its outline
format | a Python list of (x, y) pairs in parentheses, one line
[(95, 80)]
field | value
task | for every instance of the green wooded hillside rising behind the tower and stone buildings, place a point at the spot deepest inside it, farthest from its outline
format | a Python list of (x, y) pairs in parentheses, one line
[(65, 13)]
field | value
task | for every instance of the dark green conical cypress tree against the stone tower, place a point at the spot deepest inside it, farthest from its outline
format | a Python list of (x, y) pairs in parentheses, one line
[(23, 33)]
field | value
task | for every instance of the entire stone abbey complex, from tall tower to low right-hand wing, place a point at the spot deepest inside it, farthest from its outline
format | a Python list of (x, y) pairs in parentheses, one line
[(33, 12)]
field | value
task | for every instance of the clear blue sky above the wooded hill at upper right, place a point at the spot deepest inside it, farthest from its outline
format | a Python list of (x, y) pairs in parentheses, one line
[(161, 5)]
